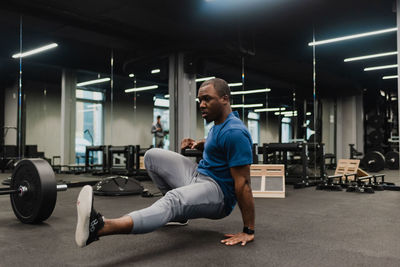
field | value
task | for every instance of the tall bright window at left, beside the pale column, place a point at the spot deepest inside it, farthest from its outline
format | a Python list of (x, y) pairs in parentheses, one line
[(89, 123)]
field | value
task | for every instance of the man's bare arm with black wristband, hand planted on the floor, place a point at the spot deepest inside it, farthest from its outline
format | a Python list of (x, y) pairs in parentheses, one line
[(244, 195)]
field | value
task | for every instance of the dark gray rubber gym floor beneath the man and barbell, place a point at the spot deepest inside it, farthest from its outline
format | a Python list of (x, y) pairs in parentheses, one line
[(307, 228)]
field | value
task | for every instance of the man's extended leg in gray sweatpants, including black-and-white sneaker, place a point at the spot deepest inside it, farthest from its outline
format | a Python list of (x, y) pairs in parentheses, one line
[(202, 199)]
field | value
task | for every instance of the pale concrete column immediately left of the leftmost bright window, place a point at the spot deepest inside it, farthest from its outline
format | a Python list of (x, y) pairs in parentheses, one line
[(68, 113)]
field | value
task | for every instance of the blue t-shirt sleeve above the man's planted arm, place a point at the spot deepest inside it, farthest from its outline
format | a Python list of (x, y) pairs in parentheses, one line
[(238, 147)]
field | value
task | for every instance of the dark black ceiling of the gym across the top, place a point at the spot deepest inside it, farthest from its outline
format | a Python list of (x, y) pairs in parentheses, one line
[(271, 36)]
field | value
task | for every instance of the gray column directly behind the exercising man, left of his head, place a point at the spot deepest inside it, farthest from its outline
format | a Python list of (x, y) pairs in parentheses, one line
[(182, 91)]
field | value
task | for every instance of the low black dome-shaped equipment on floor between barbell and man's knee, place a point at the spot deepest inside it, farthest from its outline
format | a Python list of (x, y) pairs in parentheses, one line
[(118, 186)]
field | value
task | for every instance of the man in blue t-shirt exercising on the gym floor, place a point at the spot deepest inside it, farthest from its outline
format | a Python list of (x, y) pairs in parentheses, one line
[(207, 190)]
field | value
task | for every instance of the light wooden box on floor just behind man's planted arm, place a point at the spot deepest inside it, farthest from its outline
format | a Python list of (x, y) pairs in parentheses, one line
[(268, 180)]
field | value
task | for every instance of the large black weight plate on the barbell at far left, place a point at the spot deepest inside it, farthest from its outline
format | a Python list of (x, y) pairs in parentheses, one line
[(38, 203)]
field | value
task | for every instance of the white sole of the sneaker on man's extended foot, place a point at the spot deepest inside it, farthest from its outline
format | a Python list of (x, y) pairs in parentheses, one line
[(84, 206)]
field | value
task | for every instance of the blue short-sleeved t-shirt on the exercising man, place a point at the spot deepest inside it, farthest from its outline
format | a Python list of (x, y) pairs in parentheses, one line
[(228, 145)]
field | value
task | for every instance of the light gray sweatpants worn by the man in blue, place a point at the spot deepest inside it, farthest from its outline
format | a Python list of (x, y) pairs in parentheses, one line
[(188, 193)]
